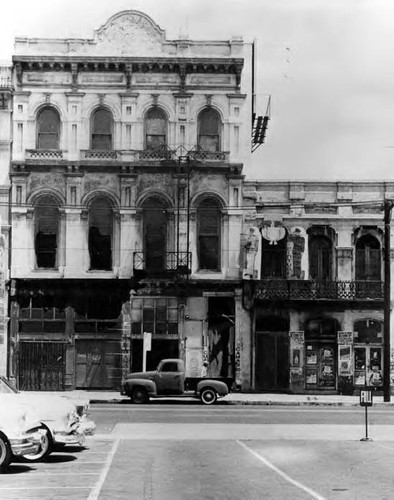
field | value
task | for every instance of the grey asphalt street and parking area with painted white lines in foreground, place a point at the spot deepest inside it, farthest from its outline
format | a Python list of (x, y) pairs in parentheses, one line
[(171, 452)]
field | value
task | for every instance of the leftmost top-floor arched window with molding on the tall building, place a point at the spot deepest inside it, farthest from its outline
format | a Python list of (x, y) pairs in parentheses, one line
[(48, 119)]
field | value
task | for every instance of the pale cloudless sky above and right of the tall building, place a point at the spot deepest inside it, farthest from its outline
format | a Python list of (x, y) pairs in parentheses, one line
[(332, 92)]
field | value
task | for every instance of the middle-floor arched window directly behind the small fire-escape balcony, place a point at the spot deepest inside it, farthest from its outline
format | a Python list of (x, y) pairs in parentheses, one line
[(155, 234)]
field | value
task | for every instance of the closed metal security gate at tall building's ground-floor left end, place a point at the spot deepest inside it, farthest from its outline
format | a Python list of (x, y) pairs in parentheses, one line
[(41, 366)]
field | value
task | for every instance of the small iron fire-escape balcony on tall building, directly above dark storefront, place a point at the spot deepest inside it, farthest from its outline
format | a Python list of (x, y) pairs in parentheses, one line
[(162, 264)]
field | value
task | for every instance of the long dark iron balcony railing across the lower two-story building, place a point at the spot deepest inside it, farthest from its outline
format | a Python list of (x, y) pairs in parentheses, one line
[(277, 289)]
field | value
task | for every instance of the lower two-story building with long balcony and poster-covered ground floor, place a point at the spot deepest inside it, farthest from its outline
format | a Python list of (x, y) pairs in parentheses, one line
[(316, 304)]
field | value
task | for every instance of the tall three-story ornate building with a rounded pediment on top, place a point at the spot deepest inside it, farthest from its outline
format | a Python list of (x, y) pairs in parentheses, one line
[(126, 204)]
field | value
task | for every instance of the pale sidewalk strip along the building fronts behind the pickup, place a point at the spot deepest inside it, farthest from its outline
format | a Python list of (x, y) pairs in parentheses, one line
[(234, 398)]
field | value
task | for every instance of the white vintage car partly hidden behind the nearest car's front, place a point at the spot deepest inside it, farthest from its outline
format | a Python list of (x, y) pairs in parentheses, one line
[(65, 421)]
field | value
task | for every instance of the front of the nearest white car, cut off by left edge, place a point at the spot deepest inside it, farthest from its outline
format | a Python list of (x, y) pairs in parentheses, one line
[(20, 434)]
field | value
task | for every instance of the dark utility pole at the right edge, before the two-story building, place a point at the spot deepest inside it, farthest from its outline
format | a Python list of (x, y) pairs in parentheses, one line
[(388, 206)]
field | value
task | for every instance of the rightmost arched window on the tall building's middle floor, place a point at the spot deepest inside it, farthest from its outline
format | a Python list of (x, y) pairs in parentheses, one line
[(208, 234)]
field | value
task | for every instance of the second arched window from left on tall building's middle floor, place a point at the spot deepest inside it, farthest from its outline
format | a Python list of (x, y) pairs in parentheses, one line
[(100, 234)]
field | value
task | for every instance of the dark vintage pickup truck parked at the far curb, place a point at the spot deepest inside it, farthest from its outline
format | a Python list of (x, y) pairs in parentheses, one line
[(169, 380)]
